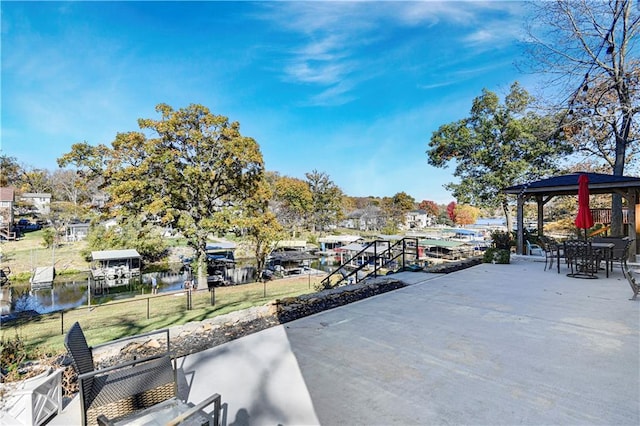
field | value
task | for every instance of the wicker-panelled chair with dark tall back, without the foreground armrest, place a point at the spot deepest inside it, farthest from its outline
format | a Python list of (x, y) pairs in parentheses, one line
[(120, 389)]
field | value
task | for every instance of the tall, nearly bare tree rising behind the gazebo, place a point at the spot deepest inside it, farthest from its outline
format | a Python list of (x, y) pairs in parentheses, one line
[(588, 47)]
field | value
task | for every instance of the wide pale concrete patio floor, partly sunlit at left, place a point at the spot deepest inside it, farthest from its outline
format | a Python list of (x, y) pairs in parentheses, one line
[(492, 344)]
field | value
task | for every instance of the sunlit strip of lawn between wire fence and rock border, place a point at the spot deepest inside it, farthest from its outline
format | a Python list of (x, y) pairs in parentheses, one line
[(103, 323)]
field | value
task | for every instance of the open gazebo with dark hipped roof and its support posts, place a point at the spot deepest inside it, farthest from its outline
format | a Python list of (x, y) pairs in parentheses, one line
[(542, 191)]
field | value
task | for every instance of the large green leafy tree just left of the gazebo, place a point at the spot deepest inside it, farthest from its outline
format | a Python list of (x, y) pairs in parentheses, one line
[(497, 146)]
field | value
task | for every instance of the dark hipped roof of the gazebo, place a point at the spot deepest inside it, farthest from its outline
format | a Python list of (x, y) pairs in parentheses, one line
[(568, 185)]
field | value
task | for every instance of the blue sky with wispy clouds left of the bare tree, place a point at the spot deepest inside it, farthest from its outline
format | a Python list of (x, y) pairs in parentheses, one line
[(351, 89)]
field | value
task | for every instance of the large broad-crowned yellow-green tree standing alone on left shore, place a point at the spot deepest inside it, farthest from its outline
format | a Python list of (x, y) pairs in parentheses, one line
[(195, 174)]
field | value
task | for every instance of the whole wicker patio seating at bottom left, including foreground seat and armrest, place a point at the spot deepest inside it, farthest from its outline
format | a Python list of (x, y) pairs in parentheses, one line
[(140, 391)]
